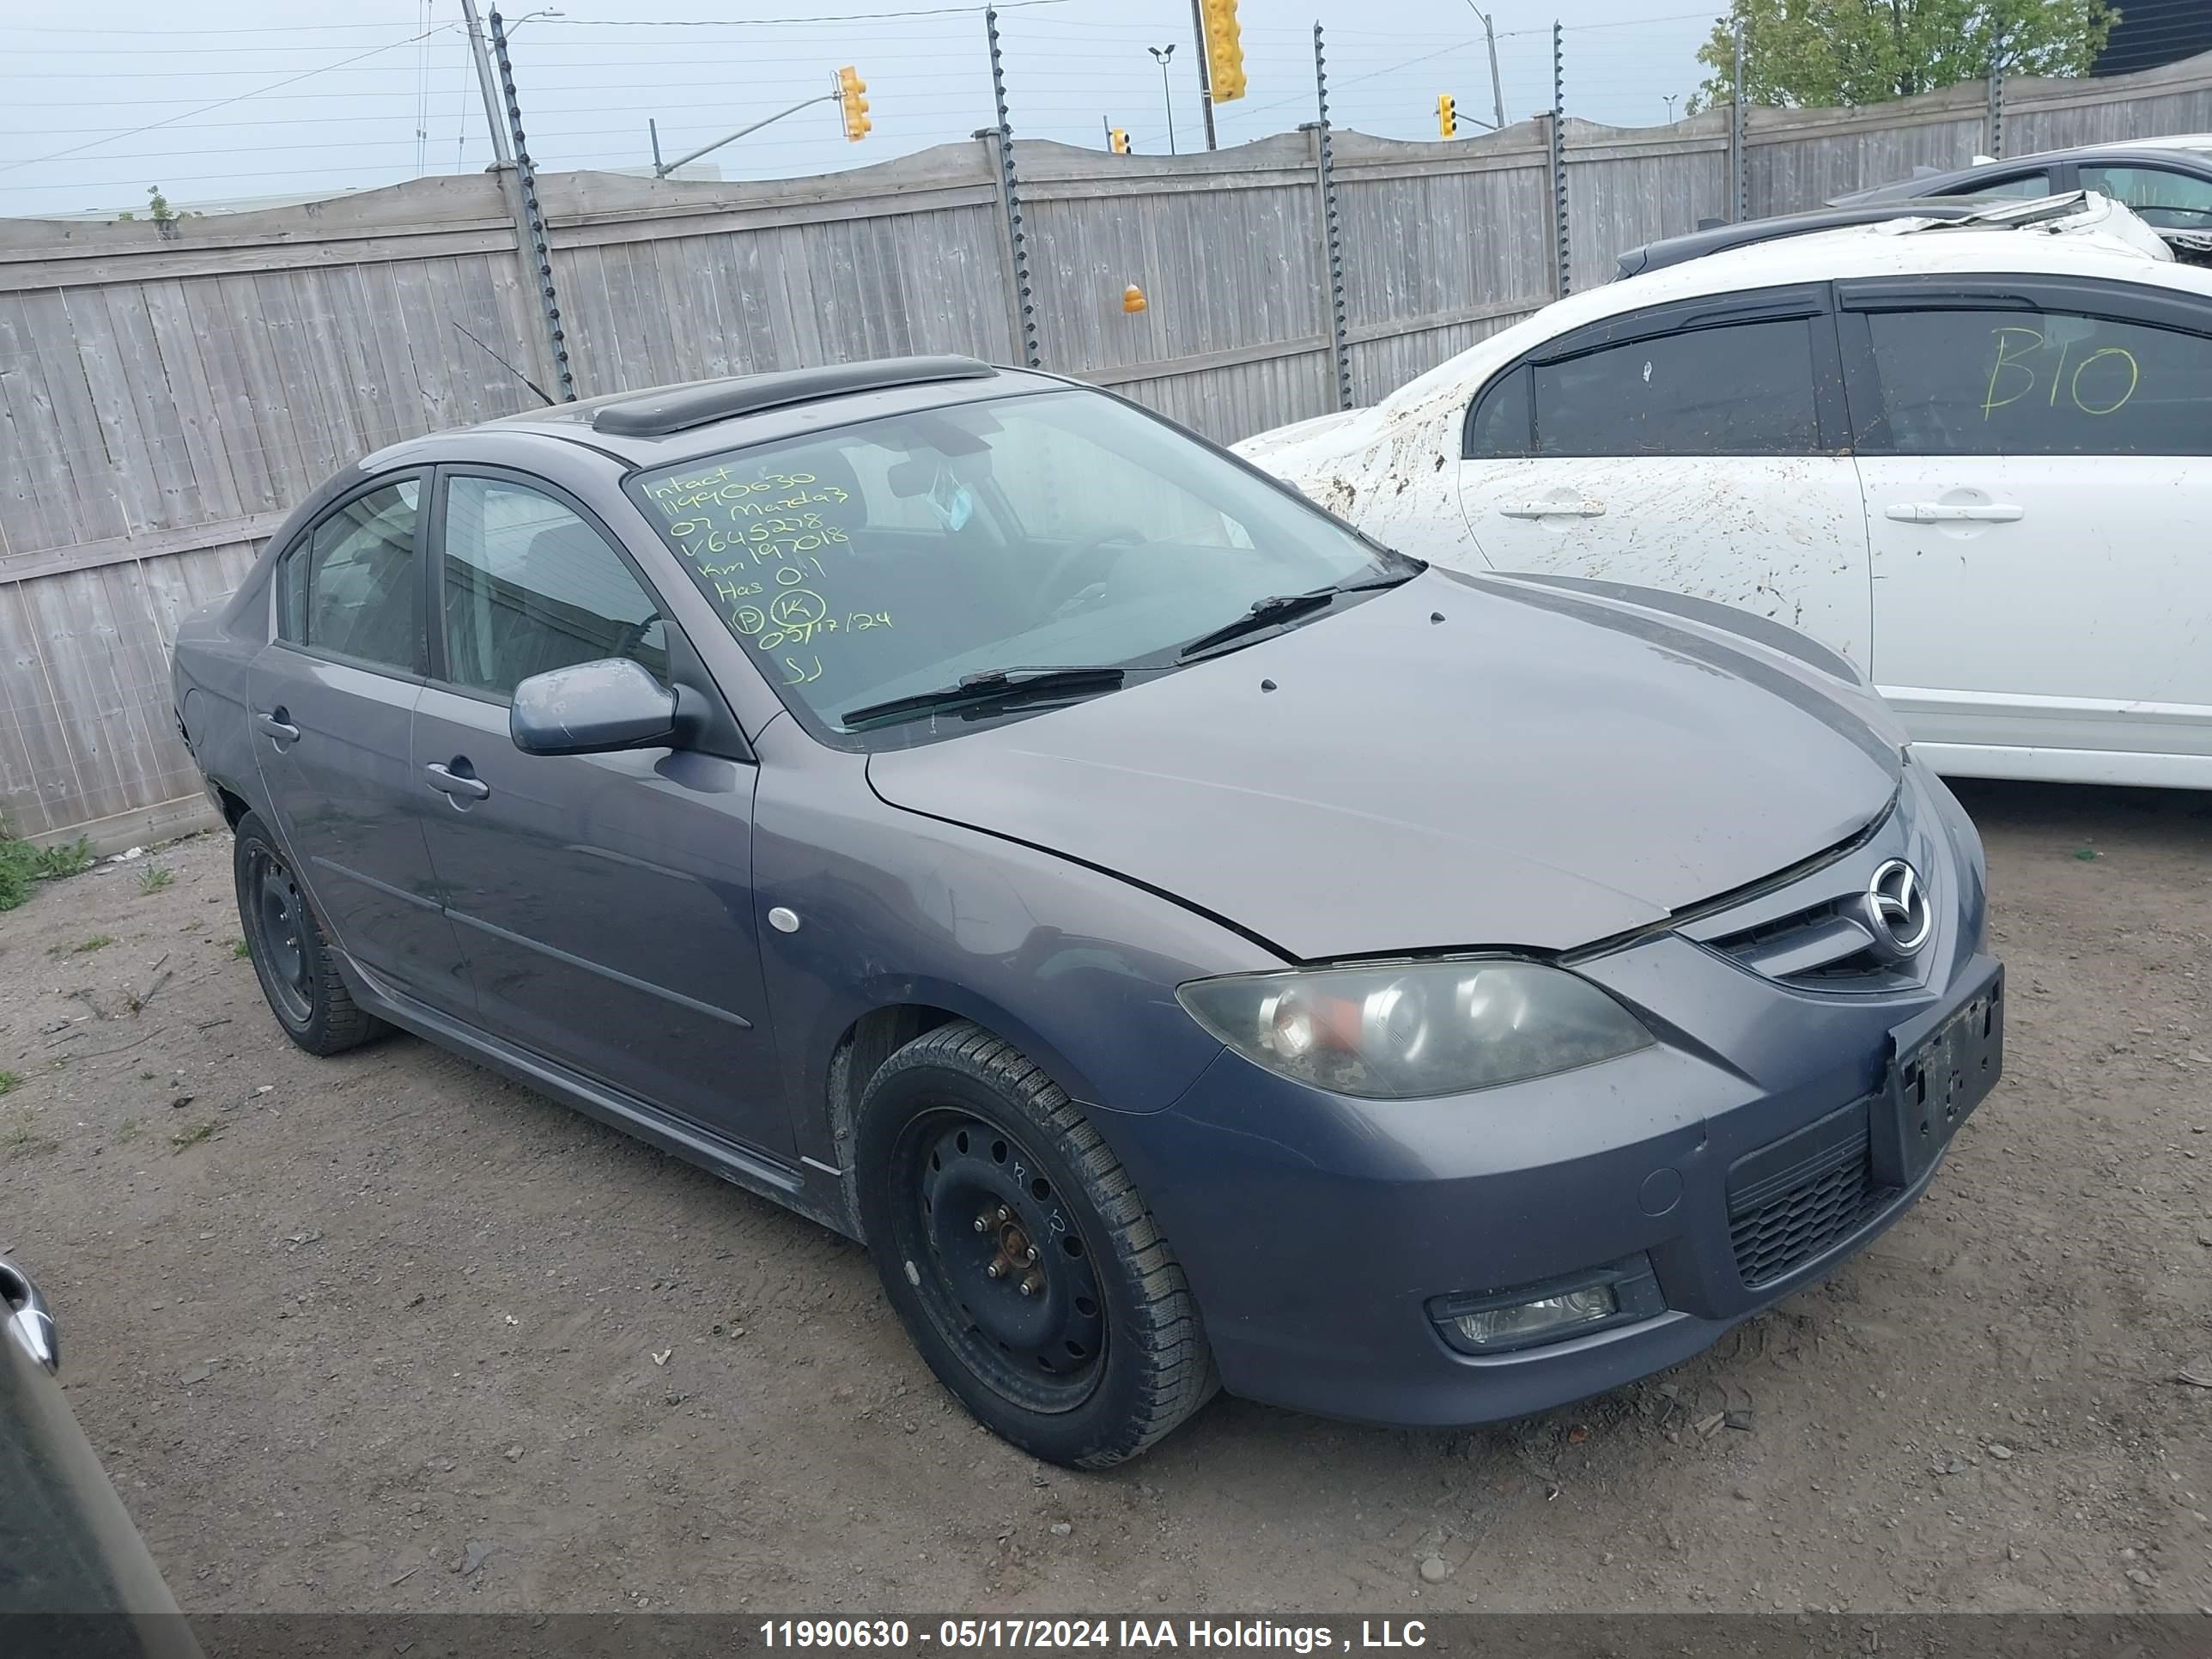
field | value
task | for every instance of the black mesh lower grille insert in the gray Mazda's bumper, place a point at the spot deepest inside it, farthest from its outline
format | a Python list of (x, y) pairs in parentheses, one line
[(1799, 1198)]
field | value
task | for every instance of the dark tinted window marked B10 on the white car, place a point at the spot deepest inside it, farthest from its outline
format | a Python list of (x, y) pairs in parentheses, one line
[(2041, 384)]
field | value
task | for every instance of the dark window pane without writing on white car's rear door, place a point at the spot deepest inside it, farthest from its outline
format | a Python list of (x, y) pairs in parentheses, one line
[(1742, 390)]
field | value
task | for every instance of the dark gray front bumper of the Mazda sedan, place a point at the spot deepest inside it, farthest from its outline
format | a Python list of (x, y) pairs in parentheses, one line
[(1746, 1160)]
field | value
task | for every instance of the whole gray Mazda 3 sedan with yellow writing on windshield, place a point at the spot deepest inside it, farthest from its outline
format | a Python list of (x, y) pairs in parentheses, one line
[(1189, 943)]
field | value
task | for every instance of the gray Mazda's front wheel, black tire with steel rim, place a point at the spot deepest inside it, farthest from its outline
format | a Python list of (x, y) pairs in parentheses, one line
[(963, 1151)]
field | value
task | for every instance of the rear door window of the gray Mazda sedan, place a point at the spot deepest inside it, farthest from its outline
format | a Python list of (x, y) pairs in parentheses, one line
[(353, 587)]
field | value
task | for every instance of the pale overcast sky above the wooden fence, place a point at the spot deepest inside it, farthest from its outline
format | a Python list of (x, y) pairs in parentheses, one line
[(364, 105)]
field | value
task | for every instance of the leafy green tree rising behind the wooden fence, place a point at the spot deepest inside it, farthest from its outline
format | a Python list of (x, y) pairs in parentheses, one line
[(1822, 54)]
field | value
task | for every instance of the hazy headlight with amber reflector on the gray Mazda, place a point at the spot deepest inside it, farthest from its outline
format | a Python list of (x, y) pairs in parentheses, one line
[(1412, 1030)]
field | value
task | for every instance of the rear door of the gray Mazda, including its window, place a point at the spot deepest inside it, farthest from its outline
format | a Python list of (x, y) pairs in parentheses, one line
[(331, 702)]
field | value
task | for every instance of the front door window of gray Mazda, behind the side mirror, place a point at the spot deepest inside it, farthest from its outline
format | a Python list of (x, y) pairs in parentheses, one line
[(532, 587)]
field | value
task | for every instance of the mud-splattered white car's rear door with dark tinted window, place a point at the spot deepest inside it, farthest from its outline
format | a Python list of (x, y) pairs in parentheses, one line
[(1695, 448)]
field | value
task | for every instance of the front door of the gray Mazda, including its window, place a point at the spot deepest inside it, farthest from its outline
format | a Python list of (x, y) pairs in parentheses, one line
[(605, 901)]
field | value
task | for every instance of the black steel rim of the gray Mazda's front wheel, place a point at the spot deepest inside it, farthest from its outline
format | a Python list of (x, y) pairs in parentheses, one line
[(972, 1198)]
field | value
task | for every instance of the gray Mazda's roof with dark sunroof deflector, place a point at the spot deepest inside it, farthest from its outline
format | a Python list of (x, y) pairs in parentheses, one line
[(674, 424)]
